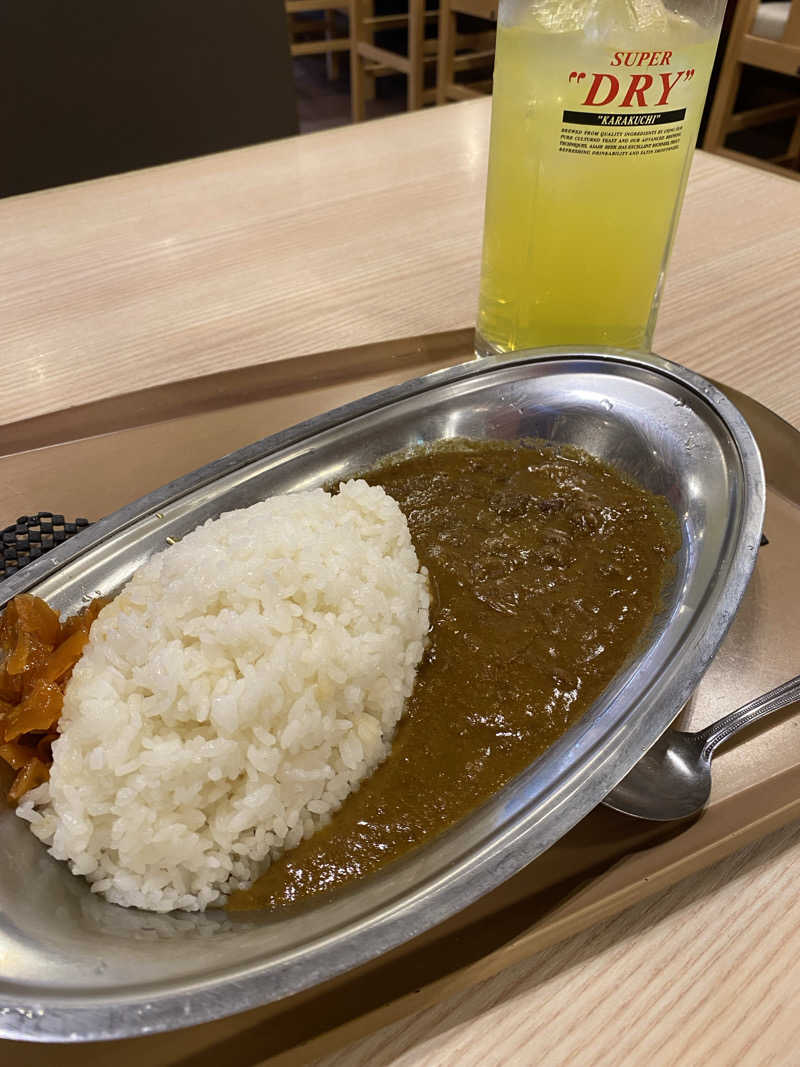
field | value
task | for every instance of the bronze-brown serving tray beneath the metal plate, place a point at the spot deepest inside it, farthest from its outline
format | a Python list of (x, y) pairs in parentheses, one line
[(603, 865)]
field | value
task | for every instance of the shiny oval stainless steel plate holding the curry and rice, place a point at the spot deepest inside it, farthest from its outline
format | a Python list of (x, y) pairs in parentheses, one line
[(76, 968)]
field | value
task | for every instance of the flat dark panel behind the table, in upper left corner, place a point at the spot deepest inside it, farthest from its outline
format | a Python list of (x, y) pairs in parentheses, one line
[(93, 88)]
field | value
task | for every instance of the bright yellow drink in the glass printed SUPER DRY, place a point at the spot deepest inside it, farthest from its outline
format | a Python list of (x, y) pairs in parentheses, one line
[(593, 133)]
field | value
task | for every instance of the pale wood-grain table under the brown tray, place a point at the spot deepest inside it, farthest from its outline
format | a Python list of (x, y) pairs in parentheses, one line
[(370, 233)]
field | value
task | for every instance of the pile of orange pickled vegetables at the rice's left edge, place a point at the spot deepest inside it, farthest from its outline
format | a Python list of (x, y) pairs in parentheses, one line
[(38, 654)]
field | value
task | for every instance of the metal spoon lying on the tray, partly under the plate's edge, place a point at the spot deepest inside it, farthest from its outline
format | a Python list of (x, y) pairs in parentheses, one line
[(675, 778)]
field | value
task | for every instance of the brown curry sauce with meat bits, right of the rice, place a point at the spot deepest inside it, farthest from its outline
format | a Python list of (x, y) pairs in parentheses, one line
[(547, 568)]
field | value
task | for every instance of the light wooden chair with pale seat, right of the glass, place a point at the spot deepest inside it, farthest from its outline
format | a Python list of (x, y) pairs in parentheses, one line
[(765, 36)]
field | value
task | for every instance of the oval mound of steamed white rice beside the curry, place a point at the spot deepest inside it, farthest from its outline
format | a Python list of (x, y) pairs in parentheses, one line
[(239, 688)]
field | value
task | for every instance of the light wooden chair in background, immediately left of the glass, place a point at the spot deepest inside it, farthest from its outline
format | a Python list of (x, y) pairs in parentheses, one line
[(458, 53)]
